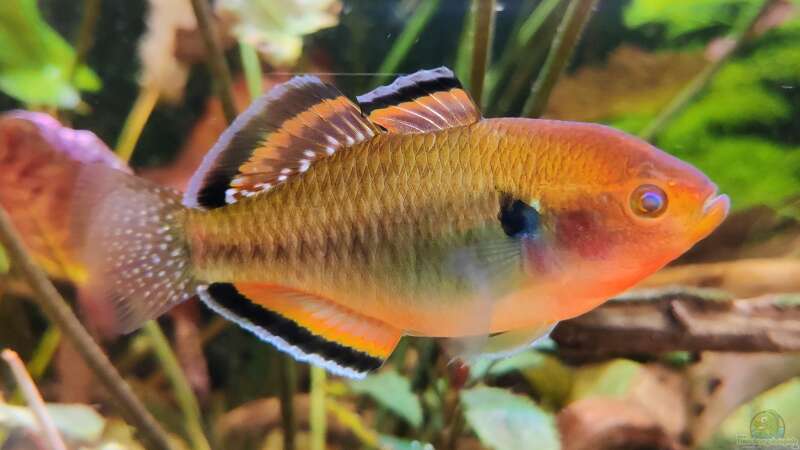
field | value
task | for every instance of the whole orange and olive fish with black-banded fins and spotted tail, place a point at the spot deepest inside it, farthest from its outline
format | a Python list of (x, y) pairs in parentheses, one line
[(331, 228)]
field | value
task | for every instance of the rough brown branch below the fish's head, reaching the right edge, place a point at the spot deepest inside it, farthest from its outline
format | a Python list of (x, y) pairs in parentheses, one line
[(683, 321)]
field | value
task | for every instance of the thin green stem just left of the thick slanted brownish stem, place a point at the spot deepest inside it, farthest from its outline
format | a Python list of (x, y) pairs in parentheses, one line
[(520, 43)]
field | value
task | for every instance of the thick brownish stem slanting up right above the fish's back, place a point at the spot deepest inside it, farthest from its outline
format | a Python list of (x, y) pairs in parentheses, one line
[(567, 36)]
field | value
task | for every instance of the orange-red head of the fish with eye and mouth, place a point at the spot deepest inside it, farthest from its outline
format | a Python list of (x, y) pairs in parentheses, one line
[(615, 208)]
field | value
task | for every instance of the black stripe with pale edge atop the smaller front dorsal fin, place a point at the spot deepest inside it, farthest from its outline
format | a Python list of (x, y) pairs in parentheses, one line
[(408, 88)]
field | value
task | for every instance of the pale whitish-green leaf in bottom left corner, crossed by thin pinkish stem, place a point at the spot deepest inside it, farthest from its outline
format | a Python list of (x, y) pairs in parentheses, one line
[(77, 422)]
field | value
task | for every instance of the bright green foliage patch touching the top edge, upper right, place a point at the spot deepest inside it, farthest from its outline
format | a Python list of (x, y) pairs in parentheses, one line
[(683, 17)]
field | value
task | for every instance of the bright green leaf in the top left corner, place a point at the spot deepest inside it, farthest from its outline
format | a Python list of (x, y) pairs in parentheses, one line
[(35, 62)]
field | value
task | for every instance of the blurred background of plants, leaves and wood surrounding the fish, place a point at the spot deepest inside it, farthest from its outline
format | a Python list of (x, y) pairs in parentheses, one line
[(702, 355)]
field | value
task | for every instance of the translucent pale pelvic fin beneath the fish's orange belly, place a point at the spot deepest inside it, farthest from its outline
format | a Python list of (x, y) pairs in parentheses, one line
[(498, 345)]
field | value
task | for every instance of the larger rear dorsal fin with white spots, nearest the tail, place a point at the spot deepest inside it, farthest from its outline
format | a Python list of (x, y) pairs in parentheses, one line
[(279, 135)]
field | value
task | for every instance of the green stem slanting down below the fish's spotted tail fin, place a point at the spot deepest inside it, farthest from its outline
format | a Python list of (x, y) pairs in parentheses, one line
[(183, 392)]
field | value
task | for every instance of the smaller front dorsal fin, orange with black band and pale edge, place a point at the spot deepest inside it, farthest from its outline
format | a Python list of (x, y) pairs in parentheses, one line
[(424, 101)]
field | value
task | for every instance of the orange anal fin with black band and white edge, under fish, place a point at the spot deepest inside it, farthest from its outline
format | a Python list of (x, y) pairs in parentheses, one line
[(310, 328)]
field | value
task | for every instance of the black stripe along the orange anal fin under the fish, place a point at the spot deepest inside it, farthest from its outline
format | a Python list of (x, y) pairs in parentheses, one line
[(229, 298)]
